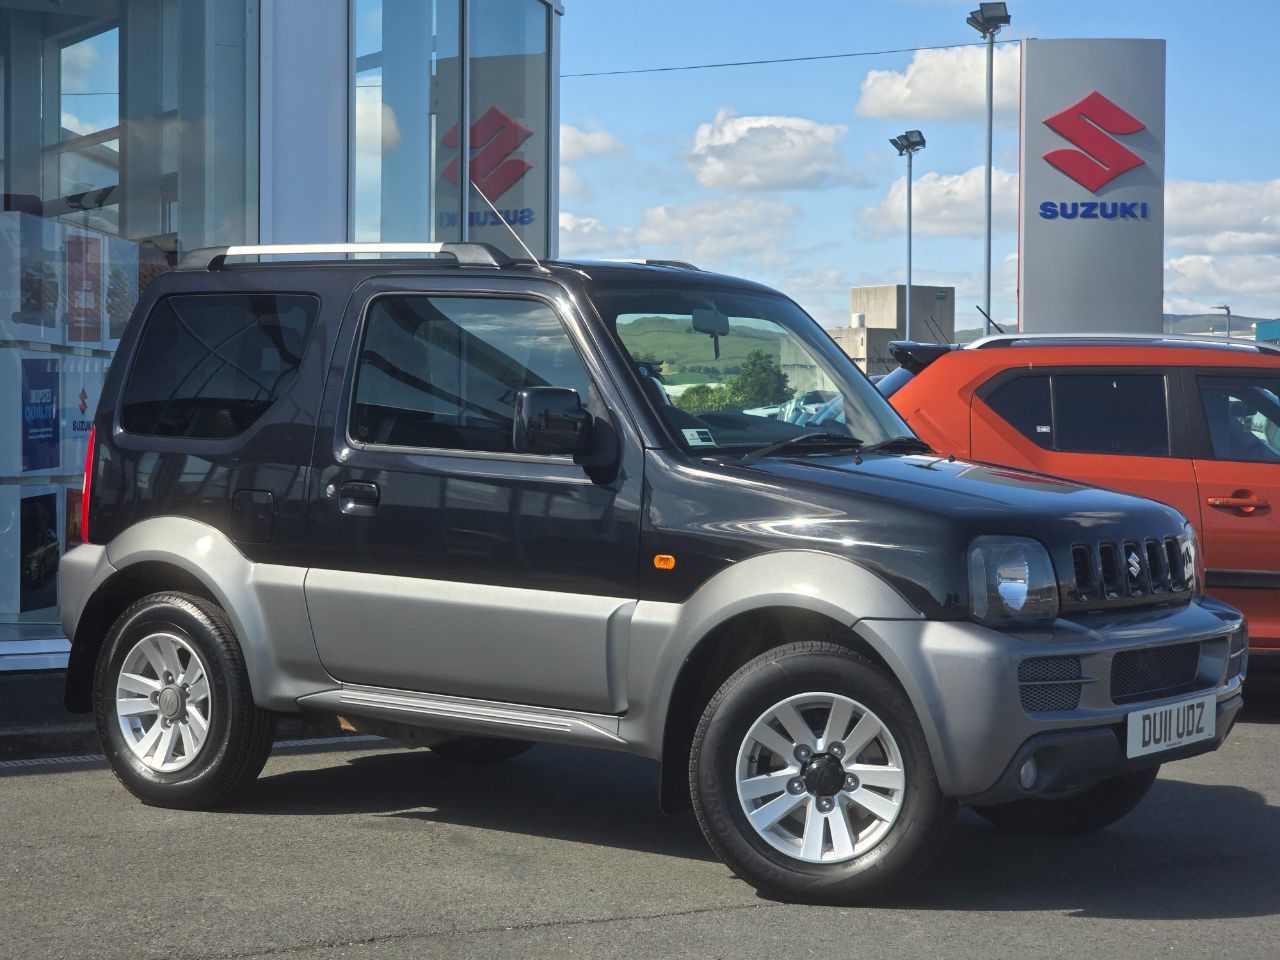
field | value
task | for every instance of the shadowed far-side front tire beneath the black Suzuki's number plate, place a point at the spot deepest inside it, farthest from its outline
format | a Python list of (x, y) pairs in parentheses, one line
[(1086, 812)]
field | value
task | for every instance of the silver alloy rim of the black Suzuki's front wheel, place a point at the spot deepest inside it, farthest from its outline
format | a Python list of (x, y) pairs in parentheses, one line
[(821, 779)]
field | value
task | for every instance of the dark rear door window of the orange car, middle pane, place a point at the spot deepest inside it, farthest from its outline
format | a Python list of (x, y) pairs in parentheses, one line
[(1124, 414)]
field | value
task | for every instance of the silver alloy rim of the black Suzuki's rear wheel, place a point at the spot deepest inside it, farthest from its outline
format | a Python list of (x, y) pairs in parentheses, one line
[(163, 702)]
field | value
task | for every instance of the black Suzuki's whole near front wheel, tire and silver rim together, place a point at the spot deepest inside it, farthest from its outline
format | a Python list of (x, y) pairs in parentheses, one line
[(879, 853)]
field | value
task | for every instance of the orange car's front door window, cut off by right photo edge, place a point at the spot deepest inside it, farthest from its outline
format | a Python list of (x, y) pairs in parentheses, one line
[(1244, 418)]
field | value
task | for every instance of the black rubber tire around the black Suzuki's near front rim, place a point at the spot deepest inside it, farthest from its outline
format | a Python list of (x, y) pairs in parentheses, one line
[(799, 669)]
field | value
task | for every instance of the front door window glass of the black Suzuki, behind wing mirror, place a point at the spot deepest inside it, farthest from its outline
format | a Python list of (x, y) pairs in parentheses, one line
[(445, 372)]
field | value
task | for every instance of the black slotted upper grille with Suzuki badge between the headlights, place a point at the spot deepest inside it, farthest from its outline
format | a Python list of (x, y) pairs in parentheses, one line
[(1128, 570)]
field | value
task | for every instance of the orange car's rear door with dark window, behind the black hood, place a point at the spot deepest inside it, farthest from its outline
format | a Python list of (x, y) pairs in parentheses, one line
[(1103, 427)]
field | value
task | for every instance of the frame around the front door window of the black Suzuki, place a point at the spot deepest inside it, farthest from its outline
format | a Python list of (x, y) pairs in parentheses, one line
[(350, 390)]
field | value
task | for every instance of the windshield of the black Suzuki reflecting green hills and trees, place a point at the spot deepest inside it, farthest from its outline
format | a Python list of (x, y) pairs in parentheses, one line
[(737, 371)]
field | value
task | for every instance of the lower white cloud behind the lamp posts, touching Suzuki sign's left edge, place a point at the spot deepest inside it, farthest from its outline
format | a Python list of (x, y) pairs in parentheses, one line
[(947, 205)]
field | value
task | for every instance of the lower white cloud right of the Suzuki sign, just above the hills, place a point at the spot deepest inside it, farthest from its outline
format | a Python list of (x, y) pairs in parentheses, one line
[(1197, 282)]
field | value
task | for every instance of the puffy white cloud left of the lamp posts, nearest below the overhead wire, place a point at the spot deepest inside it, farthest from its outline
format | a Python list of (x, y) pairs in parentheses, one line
[(770, 153)]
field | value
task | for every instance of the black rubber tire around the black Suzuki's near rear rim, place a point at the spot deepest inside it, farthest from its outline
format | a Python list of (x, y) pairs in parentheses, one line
[(240, 734)]
